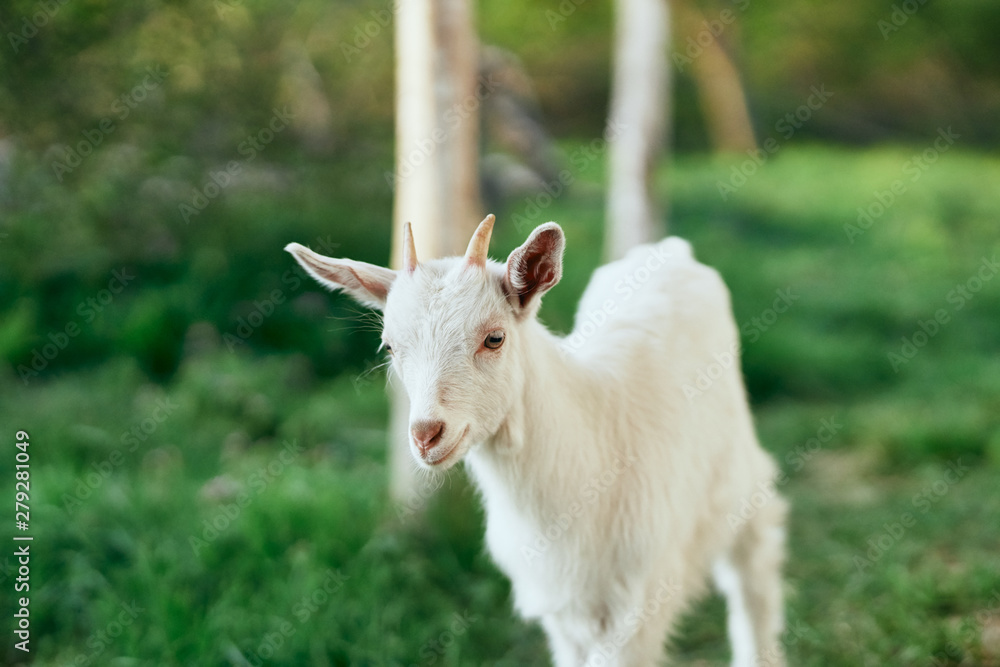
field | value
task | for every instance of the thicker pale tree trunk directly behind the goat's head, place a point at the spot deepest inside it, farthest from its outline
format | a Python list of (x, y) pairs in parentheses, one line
[(436, 178)]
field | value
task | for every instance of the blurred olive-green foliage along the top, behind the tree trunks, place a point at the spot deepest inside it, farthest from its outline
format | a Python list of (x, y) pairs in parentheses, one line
[(897, 69)]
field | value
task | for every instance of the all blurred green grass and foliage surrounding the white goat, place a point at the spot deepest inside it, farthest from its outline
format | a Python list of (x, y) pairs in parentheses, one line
[(115, 298)]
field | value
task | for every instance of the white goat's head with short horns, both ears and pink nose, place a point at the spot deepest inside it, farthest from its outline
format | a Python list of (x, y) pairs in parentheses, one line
[(454, 329)]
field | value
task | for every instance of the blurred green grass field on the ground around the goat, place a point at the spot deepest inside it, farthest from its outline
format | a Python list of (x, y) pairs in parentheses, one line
[(236, 513)]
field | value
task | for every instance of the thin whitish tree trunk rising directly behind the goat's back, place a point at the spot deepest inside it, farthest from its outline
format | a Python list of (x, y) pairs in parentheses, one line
[(637, 123)]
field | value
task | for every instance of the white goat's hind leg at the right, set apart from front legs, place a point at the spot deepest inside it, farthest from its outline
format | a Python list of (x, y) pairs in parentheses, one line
[(751, 580)]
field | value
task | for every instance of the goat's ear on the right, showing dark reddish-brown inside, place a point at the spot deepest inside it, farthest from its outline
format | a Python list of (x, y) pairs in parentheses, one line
[(535, 267)]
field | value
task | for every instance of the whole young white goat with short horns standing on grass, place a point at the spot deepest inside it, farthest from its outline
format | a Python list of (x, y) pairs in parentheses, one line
[(610, 495)]
